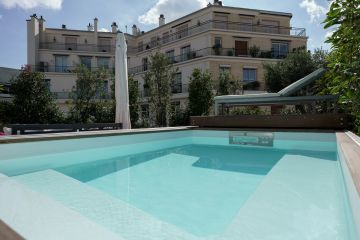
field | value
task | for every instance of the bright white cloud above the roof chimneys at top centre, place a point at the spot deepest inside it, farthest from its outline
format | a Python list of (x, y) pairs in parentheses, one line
[(172, 9)]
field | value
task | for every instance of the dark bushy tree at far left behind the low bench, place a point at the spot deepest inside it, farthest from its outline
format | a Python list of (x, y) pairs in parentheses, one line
[(33, 101)]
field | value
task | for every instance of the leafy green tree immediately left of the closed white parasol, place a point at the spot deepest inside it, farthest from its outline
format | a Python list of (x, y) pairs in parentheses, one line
[(89, 99)]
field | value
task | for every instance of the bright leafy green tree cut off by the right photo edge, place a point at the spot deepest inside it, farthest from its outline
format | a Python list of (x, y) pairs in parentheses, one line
[(344, 60)]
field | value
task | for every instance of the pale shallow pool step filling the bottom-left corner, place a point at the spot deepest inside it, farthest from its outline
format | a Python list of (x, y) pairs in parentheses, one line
[(35, 216)]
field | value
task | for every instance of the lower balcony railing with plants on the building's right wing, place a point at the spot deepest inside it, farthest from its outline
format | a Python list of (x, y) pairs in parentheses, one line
[(230, 52)]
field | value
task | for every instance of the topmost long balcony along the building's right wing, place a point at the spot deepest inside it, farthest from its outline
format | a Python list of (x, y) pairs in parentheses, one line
[(220, 25)]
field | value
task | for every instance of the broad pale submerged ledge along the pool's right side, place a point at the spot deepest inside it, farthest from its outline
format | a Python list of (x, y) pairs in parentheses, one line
[(300, 198)]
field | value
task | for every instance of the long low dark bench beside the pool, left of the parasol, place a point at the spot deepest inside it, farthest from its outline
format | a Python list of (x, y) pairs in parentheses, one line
[(54, 128)]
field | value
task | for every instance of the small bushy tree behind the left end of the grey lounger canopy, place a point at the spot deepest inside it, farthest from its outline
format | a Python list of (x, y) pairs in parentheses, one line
[(228, 84)]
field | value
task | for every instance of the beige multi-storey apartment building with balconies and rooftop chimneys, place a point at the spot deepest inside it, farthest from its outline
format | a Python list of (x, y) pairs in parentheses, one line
[(216, 38)]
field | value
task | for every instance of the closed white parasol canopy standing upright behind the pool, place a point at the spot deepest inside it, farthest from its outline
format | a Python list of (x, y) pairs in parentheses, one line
[(121, 82)]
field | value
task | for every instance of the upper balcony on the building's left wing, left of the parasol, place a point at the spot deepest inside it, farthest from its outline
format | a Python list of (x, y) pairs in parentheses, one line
[(78, 47)]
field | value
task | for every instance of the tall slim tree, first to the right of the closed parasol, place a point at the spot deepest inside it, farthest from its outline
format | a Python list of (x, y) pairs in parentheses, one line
[(158, 80)]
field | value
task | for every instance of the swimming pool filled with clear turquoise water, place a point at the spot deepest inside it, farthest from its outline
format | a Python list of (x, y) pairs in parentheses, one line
[(193, 184)]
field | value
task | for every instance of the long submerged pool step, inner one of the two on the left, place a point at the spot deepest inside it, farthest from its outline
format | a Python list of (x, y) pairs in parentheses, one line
[(114, 214)]
